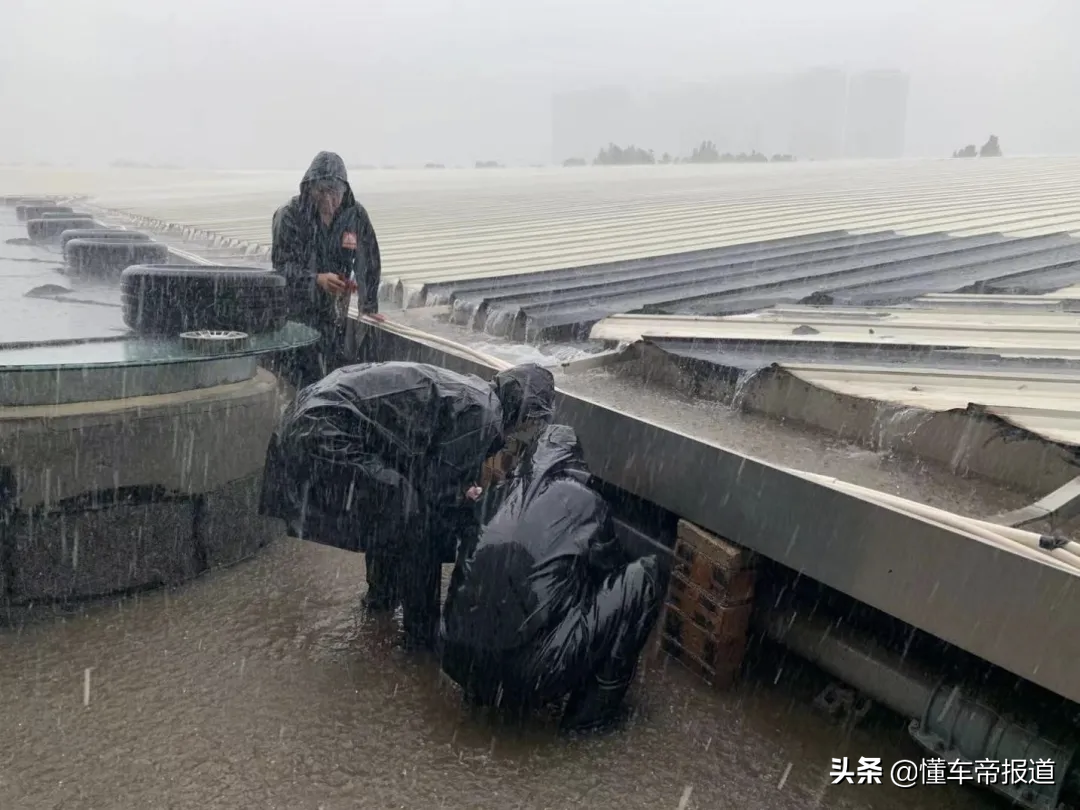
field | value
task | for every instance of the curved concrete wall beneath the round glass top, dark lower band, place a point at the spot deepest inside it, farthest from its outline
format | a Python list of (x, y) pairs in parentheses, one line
[(106, 498)]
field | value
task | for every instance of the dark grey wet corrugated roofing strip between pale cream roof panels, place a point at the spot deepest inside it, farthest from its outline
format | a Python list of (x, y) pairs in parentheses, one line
[(881, 267)]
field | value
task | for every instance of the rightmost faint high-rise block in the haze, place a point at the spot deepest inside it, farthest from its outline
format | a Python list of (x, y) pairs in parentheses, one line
[(877, 115)]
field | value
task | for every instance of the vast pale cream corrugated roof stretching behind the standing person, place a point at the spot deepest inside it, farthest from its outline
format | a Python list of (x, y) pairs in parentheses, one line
[(437, 226)]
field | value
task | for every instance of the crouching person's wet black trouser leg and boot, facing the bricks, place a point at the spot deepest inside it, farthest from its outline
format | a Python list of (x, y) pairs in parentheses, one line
[(627, 610)]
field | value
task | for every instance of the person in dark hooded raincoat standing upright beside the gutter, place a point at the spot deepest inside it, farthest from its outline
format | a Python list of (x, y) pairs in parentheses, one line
[(326, 247)]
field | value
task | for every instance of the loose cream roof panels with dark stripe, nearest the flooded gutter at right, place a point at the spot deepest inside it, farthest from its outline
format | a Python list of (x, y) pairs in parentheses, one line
[(1020, 364)]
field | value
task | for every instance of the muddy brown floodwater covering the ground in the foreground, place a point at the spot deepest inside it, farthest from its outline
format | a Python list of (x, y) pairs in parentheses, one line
[(267, 686)]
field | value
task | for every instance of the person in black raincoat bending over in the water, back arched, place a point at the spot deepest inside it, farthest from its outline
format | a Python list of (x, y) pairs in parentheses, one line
[(384, 458)]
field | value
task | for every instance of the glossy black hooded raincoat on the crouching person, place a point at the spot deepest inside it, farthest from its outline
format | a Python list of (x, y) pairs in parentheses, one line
[(539, 559)]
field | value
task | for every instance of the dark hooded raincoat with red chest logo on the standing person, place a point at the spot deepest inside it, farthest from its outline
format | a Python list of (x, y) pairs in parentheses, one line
[(303, 248)]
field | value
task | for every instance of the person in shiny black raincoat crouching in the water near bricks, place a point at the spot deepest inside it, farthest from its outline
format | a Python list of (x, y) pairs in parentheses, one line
[(544, 603)]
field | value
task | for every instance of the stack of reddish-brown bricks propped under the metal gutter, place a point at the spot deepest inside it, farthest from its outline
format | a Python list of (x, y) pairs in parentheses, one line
[(706, 616)]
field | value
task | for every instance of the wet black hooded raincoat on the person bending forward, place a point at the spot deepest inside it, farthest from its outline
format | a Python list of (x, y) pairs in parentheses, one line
[(396, 426)]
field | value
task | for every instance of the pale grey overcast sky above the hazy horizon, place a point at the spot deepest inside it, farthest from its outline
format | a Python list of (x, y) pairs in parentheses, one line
[(238, 84)]
